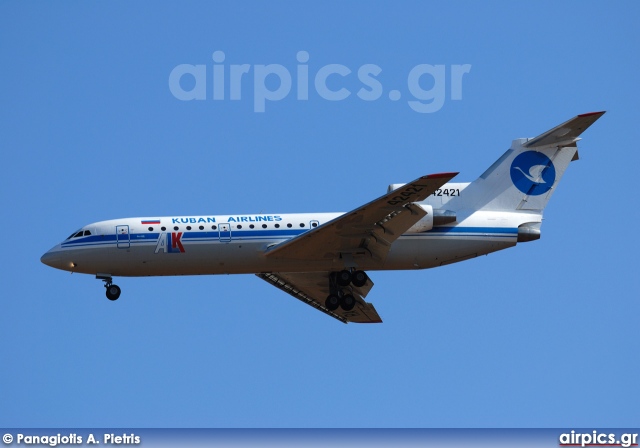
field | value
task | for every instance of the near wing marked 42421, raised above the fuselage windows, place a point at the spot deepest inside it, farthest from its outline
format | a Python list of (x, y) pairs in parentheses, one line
[(367, 231)]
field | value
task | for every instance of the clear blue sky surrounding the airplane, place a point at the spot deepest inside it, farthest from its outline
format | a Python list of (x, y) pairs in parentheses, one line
[(544, 334)]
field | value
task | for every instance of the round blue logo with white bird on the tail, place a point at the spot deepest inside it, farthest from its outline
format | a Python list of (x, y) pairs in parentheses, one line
[(533, 173)]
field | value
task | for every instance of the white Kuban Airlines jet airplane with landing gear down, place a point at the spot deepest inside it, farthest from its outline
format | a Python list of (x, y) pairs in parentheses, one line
[(322, 259)]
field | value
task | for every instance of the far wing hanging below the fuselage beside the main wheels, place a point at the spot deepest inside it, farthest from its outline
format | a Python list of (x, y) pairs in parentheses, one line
[(312, 288)]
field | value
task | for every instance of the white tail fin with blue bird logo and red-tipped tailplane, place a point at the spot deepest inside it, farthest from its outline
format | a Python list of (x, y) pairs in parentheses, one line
[(526, 176)]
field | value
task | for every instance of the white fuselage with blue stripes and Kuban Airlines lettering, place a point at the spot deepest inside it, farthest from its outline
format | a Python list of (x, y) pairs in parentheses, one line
[(236, 244)]
